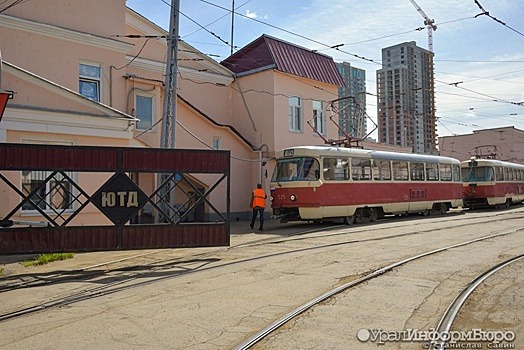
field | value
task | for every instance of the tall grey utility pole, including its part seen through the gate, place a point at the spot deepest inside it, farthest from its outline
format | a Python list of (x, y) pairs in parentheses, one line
[(169, 109)]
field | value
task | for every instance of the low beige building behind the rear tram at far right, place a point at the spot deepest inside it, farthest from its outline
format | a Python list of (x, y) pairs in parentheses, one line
[(505, 143)]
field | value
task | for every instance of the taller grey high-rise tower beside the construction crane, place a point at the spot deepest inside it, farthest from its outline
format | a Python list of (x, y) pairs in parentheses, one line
[(406, 98)]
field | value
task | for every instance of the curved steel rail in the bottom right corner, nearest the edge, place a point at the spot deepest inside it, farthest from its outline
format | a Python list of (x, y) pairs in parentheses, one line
[(453, 309)]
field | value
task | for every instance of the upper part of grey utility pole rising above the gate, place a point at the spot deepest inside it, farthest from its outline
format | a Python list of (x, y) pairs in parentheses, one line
[(170, 95)]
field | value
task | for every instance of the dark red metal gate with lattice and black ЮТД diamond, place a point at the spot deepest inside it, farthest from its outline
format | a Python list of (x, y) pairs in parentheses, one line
[(81, 198)]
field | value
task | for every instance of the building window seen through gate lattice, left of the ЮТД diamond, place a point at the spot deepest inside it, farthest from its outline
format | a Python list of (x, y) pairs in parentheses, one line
[(55, 195)]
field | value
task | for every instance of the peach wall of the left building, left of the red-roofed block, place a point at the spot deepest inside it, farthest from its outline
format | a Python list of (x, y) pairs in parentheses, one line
[(39, 113)]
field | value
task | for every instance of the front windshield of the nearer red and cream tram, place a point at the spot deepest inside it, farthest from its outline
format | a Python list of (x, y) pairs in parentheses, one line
[(296, 169)]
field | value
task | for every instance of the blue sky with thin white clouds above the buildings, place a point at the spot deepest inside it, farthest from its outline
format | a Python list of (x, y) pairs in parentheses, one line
[(479, 53)]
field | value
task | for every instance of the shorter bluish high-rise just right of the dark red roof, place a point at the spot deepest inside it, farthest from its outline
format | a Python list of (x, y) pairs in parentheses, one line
[(352, 103)]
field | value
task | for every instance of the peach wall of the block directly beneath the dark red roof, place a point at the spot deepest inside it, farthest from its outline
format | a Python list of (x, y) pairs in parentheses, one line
[(263, 115)]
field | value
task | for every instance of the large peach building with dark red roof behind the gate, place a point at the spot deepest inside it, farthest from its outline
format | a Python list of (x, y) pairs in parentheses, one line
[(88, 83)]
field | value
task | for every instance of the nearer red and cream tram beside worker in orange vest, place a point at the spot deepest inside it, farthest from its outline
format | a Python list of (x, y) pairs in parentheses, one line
[(319, 182)]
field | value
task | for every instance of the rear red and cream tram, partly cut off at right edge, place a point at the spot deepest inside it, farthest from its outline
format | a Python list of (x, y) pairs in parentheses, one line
[(489, 182)]
